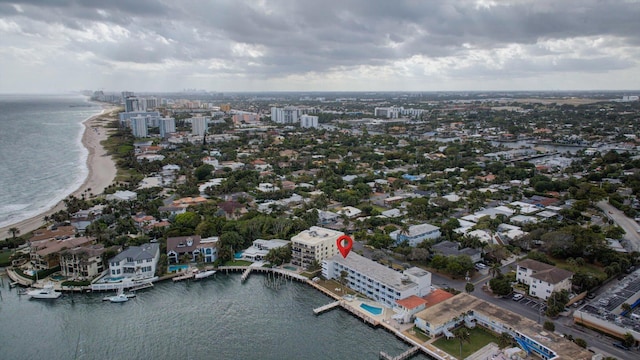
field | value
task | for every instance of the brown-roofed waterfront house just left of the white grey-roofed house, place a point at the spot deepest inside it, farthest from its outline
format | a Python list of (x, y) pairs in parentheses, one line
[(82, 262)]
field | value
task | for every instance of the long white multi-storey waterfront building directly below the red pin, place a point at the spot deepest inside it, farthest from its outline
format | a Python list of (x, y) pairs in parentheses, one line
[(377, 281)]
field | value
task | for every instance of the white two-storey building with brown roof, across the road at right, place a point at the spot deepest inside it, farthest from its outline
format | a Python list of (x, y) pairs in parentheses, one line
[(543, 279)]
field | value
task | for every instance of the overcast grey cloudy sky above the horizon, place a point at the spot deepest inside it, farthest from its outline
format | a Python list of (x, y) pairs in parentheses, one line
[(290, 45)]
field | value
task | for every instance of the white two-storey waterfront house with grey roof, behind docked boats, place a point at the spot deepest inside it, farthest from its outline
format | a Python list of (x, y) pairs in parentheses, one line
[(137, 262)]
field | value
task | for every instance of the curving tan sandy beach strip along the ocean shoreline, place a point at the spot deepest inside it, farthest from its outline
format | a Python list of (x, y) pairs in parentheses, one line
[(102, 170)]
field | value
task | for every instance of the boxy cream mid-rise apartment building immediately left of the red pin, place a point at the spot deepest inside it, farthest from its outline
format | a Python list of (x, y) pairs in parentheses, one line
[(315, 244)]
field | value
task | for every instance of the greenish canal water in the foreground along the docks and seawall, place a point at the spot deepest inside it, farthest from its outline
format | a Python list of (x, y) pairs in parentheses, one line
[(216, 318)]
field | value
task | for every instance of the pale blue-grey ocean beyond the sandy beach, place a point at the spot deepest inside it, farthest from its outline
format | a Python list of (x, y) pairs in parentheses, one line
[(42, 159)]
